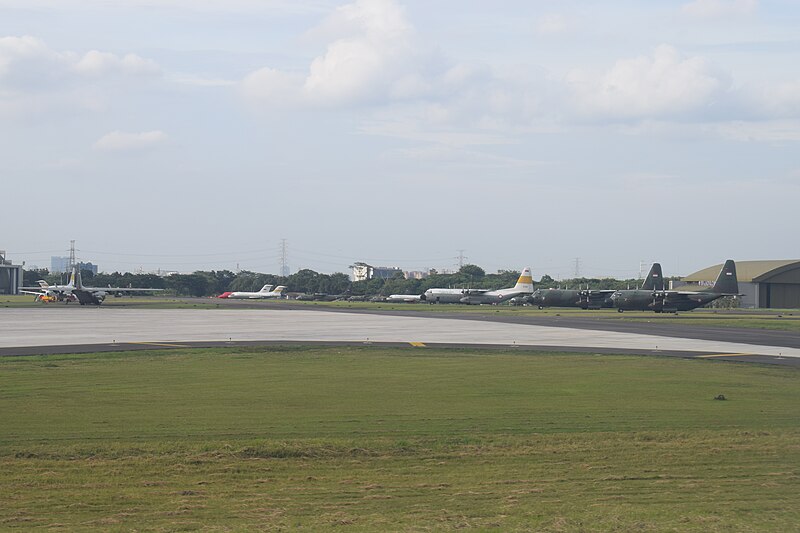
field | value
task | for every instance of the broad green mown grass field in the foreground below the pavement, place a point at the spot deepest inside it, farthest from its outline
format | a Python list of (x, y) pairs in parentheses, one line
[(368, 438)]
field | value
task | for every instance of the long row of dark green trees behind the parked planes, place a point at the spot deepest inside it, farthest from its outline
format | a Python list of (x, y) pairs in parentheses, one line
[(214, 282)]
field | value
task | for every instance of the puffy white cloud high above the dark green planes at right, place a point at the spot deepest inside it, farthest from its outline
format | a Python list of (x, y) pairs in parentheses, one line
[(661, 85)]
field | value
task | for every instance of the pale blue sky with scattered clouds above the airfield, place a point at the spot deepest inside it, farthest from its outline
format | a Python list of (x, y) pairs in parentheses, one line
[(575, 137)]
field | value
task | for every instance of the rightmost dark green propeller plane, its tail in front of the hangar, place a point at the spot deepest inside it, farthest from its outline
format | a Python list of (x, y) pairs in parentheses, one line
[(668, 301)]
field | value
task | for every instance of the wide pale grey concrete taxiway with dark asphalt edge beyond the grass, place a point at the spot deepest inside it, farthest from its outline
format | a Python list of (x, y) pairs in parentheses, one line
[(60, 330)]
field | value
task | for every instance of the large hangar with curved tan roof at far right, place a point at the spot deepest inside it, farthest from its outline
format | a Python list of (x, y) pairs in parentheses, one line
[(764, 284)]
